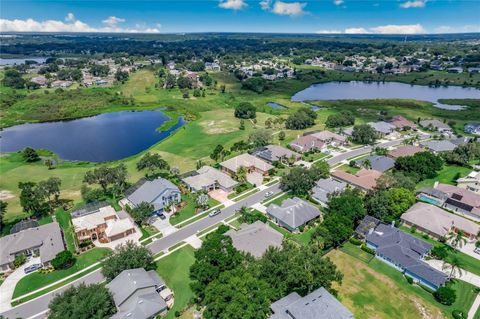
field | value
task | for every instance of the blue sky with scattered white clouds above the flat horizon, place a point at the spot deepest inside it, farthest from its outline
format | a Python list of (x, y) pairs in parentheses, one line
[(321, 16)]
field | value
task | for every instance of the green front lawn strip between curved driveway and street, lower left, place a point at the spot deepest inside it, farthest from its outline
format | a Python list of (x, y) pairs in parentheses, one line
[(37, 280)]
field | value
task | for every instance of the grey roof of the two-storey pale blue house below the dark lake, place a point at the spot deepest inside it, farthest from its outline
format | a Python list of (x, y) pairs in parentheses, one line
[(150, 190)]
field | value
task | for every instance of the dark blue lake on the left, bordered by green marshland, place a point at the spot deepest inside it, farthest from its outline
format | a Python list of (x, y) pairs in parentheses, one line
[(100, 138)]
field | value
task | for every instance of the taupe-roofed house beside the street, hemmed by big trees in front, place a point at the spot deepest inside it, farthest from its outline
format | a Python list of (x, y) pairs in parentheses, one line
[(255, 239)]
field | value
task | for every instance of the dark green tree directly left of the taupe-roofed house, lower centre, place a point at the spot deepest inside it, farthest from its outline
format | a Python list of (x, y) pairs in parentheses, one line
[(216, 255)]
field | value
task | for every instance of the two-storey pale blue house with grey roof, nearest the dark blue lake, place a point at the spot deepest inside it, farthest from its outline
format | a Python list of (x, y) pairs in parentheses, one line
[(158, 192)]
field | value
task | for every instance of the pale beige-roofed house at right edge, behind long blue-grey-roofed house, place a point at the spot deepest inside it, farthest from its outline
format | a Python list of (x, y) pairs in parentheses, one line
[(437, 222)]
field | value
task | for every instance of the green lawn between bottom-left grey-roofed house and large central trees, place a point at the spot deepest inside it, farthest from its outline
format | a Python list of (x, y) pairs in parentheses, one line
[(174, 269)]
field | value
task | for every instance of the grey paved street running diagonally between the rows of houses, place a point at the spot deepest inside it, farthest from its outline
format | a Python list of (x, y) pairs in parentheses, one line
[(36, 308)]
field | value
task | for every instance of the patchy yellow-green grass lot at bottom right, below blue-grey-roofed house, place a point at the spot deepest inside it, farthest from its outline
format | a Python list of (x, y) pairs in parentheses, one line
[(372, 287)]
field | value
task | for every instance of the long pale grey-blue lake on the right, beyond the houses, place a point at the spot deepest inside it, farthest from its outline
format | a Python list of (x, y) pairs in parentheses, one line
[(385, 90)]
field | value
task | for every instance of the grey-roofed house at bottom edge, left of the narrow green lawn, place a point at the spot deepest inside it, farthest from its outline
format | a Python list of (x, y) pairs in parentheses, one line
[(139, 294)]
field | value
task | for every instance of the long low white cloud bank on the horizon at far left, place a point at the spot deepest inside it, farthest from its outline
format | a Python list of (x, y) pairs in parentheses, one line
[(71, 25)]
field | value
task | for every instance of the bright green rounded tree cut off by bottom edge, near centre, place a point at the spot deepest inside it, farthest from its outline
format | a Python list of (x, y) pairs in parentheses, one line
[(237, 294)]
